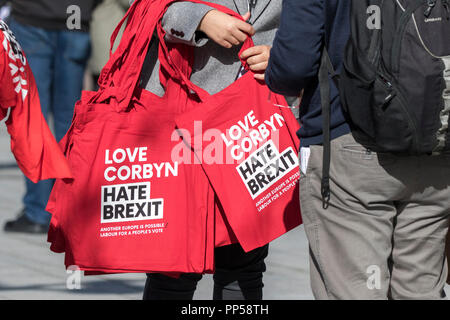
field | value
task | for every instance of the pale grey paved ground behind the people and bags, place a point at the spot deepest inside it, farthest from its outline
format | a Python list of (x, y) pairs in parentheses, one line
[(29, 270)]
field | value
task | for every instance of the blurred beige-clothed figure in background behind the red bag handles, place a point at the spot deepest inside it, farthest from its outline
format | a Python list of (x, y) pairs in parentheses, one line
[(105, 18)]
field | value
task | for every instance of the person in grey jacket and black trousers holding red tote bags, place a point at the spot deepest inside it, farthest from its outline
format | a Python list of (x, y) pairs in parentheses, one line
[(216, 37)]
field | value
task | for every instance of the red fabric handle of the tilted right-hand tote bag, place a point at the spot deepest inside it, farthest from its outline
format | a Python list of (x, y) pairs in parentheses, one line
[(169, 62)]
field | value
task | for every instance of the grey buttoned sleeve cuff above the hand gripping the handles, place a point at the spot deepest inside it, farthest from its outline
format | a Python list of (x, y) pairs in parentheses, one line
[(181, 22)]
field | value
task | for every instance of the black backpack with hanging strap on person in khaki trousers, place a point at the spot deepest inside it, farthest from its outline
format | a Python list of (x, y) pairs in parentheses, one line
[(395, 83)]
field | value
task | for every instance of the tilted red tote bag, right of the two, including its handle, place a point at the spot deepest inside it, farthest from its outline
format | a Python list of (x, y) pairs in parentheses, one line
[(252, 163)]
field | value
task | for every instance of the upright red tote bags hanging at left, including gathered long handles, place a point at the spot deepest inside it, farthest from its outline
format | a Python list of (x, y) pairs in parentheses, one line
[(130, 206)]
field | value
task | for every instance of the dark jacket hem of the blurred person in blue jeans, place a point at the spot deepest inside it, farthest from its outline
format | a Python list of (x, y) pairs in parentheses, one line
[(52, 14)]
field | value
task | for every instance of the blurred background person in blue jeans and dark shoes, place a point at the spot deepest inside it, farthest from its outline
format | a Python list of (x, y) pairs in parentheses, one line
[(54, 36)]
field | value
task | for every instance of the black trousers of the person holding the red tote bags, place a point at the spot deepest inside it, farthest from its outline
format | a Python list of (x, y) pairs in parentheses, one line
[(238, 275)]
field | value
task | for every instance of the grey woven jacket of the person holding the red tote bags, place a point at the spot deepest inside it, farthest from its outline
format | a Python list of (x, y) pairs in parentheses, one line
[(215, 67)]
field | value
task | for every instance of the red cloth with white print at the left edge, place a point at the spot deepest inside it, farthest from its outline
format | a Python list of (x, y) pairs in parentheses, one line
[(32, 143)]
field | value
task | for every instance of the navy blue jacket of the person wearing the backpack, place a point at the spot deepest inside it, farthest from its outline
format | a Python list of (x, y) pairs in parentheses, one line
[(305, 27)]
